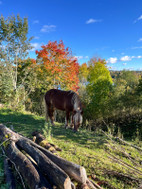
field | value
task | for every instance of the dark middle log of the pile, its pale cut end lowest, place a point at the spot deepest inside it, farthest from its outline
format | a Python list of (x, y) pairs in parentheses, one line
[(56, 175)]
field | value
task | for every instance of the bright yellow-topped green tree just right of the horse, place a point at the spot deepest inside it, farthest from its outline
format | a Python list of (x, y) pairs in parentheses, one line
[(98, 88)]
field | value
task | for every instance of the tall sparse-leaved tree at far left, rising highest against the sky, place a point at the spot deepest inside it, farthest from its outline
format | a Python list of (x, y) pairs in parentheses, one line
[(14, 46)]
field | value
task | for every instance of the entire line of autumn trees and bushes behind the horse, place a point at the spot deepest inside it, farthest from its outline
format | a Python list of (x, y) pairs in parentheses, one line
[(112, 100)]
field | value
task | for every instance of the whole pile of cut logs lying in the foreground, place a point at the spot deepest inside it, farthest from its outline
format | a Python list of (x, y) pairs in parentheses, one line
[(39, 168)]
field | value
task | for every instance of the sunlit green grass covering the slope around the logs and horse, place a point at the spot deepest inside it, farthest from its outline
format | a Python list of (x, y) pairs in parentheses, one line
[(97, 152)]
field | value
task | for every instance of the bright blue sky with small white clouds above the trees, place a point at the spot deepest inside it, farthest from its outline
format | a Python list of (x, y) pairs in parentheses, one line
[(110, 29)]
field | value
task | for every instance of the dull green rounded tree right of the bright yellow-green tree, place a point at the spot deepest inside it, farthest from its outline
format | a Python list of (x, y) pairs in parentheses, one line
[(124, 94)]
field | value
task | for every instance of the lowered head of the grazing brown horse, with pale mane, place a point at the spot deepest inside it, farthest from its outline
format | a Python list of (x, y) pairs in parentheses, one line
[(77, 118)]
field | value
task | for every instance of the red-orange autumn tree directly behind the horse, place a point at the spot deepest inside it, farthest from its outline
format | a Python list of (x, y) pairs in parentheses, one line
[(59, 68)]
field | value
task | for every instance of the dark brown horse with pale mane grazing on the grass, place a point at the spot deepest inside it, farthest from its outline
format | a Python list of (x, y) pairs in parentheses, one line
[(67, 101)]
